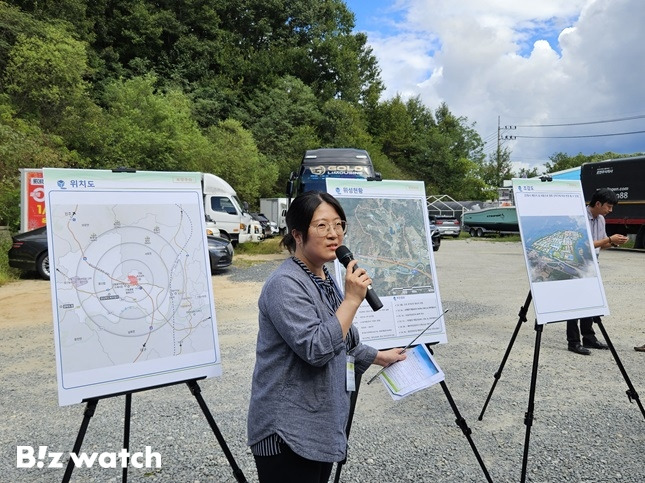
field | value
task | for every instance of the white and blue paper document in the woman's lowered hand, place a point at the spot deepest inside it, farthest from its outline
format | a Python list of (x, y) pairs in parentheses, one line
[(418, 371)]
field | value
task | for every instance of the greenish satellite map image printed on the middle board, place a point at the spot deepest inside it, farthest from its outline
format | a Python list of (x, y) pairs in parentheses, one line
[(390, 235)]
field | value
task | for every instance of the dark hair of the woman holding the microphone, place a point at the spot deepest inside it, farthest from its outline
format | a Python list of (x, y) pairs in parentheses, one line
[(301, 211)]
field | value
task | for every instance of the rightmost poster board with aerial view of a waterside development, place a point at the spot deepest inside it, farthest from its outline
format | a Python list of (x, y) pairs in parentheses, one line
[(558, 248)]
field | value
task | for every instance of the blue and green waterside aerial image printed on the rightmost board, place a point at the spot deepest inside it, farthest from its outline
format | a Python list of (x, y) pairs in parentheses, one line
[(557, 248)]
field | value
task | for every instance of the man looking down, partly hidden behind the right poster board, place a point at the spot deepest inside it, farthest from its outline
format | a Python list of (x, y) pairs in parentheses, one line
[(602, 202)]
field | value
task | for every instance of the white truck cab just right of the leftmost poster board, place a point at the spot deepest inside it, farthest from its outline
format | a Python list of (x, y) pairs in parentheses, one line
[(223, 207)]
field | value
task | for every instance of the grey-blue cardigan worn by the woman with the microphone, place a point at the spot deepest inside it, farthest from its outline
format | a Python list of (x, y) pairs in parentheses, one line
[(299, 387)]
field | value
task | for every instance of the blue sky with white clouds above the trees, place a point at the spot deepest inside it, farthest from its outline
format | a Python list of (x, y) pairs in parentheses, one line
[(529, 63)]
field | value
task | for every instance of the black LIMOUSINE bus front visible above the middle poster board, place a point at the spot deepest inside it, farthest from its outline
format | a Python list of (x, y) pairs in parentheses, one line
[(319, 164)]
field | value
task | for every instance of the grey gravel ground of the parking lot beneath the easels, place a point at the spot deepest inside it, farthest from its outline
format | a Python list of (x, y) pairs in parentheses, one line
[(584, 427)]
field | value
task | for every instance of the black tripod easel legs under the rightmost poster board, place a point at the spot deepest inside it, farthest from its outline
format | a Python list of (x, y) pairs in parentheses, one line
[(528, 417)]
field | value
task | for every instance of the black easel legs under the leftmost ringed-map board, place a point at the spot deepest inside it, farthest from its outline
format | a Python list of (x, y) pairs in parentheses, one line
[(194, 389)]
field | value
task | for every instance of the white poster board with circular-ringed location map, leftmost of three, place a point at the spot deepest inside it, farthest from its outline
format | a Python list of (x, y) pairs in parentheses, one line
[(130, 279)]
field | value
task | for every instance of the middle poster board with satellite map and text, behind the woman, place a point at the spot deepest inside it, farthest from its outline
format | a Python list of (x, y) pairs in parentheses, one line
[(388, 232)]
